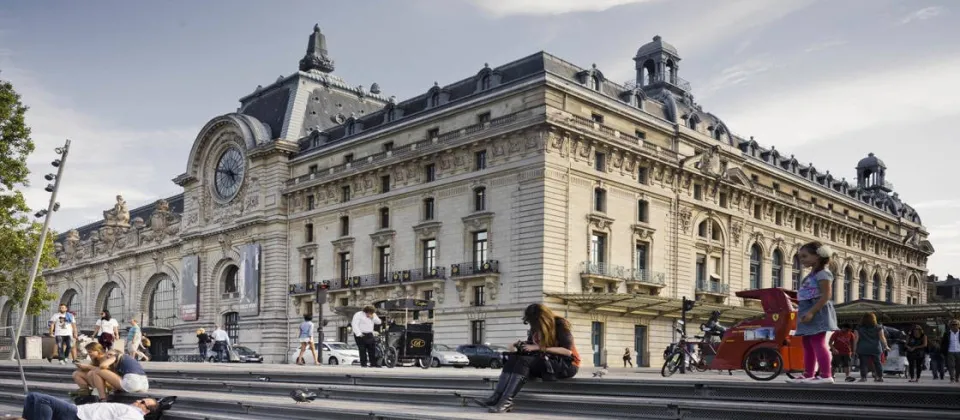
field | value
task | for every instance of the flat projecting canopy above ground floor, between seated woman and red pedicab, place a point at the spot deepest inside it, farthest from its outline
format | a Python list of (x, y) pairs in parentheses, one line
[(628, 304)]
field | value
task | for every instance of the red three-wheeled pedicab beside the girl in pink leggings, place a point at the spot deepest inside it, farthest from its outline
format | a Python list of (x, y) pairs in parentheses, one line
[(762, 346)]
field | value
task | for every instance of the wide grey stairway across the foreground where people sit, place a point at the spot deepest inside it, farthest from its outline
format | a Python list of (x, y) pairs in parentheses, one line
[(245, 392)]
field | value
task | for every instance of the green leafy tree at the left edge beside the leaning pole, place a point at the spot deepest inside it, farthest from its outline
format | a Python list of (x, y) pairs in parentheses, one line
[(19, 234)]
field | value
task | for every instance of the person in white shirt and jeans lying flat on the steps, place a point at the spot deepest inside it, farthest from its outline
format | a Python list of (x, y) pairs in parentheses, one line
[(45, 407)]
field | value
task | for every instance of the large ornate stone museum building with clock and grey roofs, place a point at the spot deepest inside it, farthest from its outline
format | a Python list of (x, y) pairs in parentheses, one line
[(533, 181)]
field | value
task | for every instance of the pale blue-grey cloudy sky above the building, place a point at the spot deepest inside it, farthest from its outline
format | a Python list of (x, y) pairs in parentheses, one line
[(132, 83)]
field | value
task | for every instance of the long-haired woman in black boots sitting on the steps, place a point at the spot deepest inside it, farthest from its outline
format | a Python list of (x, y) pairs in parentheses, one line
[(549, 353)]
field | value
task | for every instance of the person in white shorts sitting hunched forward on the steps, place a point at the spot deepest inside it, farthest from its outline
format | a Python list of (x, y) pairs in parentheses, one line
[(119, 371)]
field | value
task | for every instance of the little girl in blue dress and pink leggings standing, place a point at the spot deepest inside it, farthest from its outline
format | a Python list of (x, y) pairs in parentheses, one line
[(815, 312)]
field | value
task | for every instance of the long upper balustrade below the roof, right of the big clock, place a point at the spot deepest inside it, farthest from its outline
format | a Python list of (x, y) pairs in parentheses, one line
[(423, 145)]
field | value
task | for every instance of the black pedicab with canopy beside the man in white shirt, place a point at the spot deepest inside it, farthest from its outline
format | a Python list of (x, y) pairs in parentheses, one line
[(405, 339)]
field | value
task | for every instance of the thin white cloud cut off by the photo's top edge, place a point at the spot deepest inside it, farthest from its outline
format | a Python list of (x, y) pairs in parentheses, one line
[(502, 8)]
